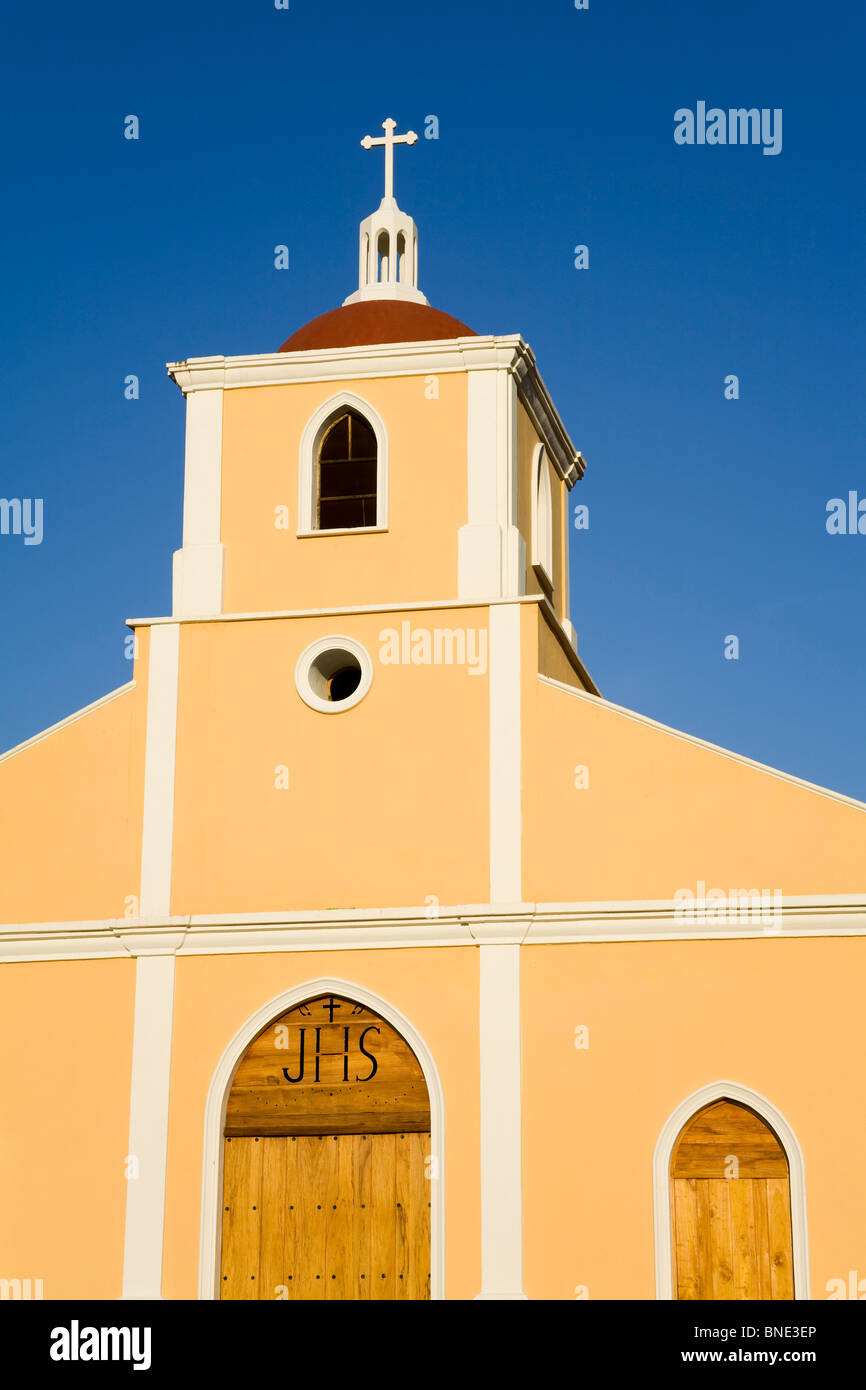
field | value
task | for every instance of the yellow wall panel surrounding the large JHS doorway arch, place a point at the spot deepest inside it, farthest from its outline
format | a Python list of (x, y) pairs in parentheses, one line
[(436, 990)]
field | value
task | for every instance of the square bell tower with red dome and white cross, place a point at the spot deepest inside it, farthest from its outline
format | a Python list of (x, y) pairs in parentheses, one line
[(387, 455)]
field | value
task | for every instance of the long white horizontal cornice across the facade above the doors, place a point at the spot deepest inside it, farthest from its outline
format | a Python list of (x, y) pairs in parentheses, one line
[(836, 915)]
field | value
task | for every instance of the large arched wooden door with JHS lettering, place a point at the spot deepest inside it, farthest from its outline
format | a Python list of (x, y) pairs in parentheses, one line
[(326, 1188)]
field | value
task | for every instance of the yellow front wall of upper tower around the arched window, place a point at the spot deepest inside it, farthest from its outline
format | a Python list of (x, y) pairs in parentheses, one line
[(416, 559)]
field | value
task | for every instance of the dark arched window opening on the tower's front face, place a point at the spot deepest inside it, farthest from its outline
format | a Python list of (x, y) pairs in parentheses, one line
[(347, 475)]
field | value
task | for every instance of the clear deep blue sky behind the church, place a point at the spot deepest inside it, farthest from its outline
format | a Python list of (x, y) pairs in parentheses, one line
[(707, 516)]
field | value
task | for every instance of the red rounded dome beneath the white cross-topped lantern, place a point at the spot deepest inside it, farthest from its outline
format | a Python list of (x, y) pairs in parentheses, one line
[(376, 322)]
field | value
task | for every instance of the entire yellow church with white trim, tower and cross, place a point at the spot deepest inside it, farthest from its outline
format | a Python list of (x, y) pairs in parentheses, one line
[(359, 947)]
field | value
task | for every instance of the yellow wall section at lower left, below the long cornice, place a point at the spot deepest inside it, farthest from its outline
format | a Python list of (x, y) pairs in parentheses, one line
[(66, 1040)]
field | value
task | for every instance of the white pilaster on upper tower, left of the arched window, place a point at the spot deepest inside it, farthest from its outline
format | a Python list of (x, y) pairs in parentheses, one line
[(198, 566)]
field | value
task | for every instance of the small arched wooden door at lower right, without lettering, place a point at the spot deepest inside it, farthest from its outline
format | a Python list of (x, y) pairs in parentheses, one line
[(730, 1199)]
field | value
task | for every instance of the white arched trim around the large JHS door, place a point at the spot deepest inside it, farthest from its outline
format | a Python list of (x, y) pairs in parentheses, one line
[(218, 1100)]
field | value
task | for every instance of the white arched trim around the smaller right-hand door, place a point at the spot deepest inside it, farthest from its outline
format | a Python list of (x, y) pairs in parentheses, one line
[(661, 1179)]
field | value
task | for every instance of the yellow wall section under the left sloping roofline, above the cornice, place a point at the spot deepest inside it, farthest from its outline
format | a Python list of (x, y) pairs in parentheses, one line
[(72, 815)]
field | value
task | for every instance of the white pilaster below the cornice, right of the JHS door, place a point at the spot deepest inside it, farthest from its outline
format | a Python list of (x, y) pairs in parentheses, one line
[(501, 1121)]
